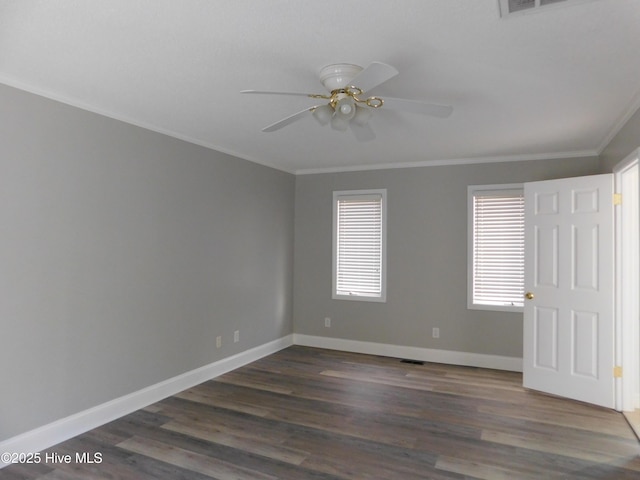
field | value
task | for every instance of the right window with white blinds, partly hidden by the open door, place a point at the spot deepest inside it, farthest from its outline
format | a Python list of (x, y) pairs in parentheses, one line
[(496, 247)]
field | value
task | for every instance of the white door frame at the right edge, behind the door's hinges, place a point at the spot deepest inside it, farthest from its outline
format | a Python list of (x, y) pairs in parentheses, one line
[(627, 258)]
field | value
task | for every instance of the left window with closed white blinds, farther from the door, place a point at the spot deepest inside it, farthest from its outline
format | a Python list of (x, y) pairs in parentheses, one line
[(359, 238)]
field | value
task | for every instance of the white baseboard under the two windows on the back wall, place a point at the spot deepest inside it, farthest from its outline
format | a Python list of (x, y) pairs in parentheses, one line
[(496, 362)]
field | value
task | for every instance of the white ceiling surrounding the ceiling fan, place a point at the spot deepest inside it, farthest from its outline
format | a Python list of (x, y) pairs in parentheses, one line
[(558, 83)]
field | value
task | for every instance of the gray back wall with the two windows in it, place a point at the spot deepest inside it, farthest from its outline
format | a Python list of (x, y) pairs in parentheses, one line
[(427, 257)]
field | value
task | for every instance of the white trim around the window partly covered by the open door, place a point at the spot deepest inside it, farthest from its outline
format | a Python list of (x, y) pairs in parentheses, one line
[(471, 192)]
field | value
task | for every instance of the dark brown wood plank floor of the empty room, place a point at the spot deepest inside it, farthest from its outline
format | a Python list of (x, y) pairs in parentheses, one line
[(316, 414)]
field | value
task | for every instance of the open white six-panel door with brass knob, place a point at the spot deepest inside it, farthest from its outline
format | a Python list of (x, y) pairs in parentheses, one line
[(569, 321)]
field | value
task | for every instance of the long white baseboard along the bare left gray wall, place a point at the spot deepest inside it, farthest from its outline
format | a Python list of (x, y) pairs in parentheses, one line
[(51, 434)]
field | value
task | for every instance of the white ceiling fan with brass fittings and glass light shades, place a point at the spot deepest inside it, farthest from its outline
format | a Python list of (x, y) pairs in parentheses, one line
[(348, 105)]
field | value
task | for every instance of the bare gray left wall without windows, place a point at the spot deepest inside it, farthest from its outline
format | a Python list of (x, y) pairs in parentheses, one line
[(123, 254)]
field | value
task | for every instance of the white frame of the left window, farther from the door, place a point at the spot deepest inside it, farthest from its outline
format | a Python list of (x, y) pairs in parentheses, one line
[(355, 194)]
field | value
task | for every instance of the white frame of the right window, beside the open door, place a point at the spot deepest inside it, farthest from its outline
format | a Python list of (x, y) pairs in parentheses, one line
[(472, 302)]
